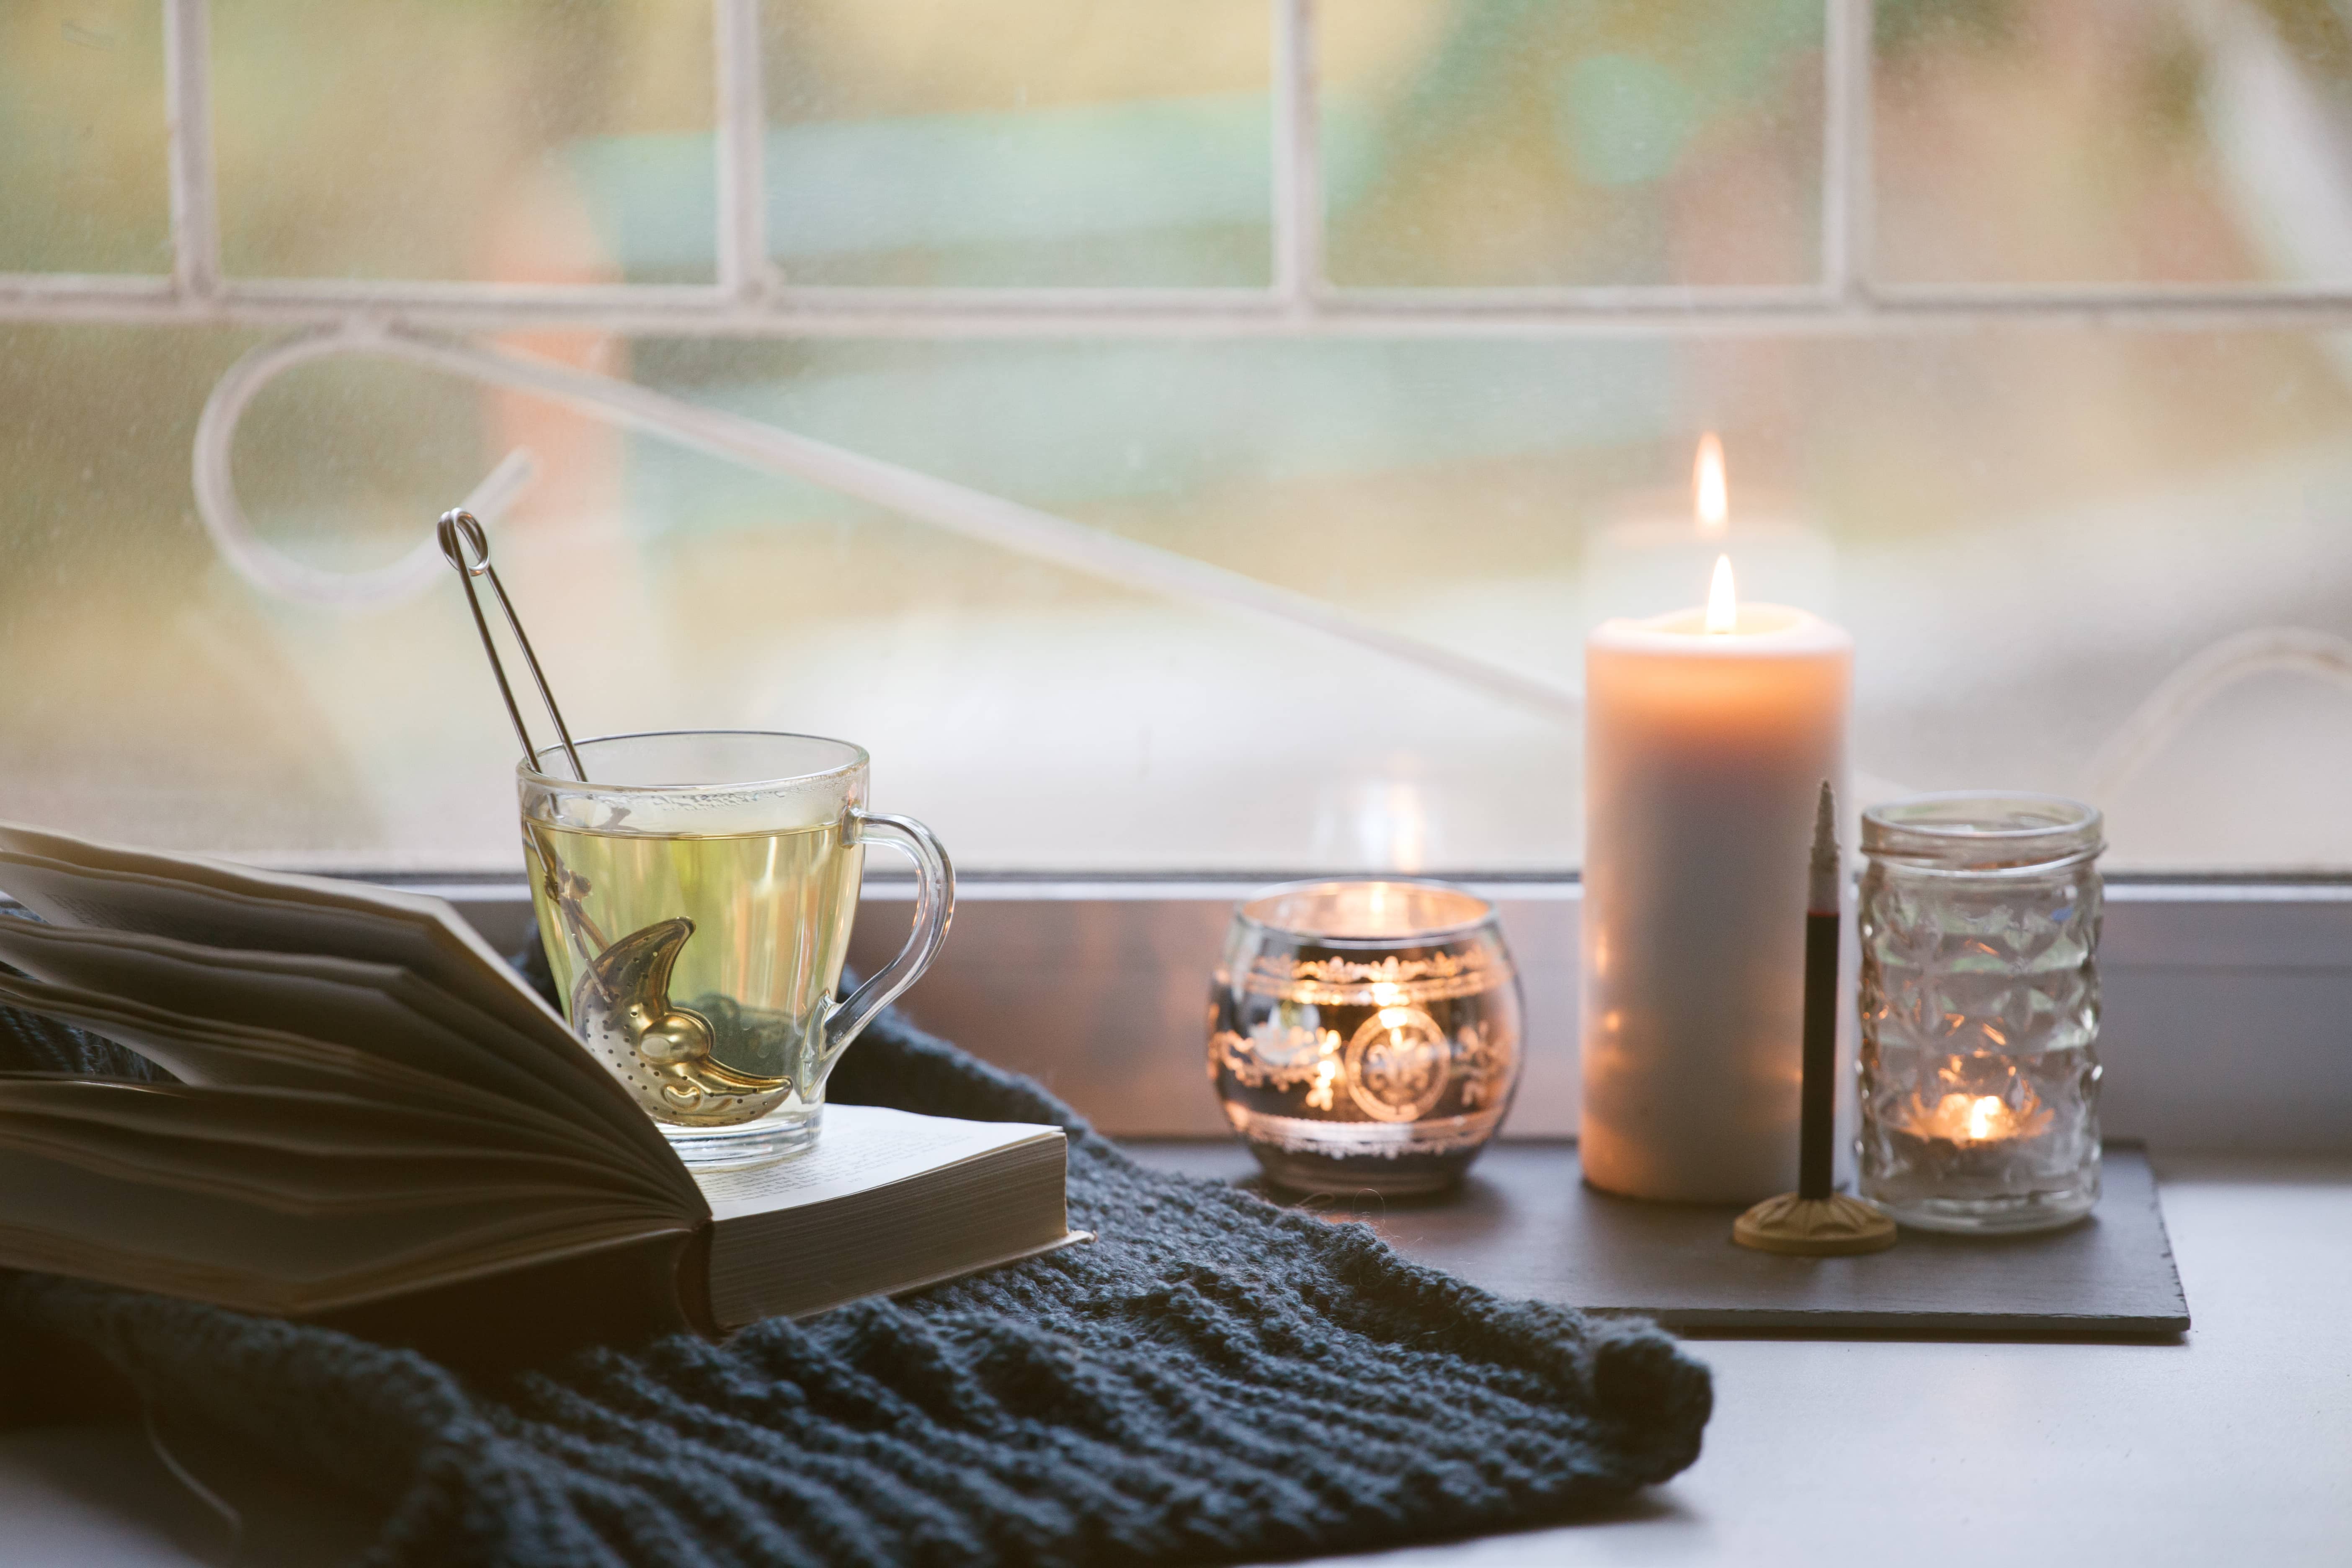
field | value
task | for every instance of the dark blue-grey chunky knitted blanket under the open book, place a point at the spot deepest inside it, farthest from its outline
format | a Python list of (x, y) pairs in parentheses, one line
[(1212, 1381)]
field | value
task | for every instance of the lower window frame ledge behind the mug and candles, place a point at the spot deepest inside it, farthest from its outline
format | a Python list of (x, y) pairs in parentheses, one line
[(2226, 1000)]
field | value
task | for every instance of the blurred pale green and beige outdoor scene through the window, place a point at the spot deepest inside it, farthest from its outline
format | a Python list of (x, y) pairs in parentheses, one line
[(2031, 525)]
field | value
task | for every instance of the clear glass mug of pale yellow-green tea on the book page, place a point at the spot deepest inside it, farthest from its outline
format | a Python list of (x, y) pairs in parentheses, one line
[(695, 902)]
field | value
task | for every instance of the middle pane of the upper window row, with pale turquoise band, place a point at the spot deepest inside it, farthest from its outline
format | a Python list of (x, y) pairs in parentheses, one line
[(1053, 142)]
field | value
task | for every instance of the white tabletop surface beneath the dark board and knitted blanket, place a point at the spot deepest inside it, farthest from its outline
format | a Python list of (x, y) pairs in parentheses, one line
[(2233, 1447)]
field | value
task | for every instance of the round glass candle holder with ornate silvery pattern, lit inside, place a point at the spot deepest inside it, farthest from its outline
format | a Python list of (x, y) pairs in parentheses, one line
[(1365, 1036)]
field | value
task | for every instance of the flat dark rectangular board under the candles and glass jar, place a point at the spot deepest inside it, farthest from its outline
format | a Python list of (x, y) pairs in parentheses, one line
[(1528, 1226)]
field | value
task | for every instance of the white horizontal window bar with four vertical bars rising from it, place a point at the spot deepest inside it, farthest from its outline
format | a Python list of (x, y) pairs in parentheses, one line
[(749, 295)]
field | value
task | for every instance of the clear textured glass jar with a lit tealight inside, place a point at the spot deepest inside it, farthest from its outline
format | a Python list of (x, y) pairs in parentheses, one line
[(1979, 1068)]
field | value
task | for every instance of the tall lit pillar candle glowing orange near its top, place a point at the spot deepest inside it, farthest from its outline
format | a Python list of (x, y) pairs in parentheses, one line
[(1704, 760)]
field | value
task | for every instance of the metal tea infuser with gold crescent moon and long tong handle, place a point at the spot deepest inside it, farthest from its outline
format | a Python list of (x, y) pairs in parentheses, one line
[(624, 989)]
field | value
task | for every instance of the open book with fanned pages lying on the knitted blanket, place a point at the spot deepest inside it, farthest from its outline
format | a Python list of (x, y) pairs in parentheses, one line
[(377, 1125)]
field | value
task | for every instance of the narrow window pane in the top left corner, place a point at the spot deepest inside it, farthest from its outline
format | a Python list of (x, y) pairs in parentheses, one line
[(83, 185)]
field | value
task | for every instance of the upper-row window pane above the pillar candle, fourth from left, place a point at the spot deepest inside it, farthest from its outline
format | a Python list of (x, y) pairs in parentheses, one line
[(1492, 142)]
